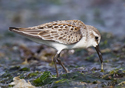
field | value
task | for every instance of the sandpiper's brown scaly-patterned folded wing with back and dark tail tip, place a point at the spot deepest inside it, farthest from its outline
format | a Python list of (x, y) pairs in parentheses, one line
[(66, 32)]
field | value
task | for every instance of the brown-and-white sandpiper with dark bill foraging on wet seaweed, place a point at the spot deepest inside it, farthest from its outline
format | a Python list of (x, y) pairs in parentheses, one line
[(65, 34)]
